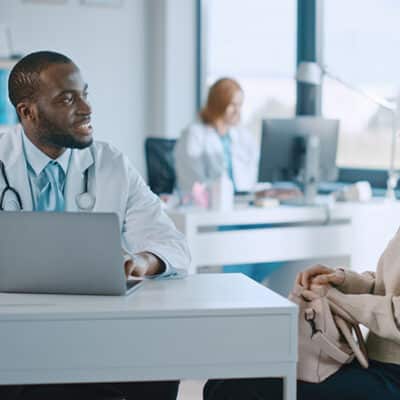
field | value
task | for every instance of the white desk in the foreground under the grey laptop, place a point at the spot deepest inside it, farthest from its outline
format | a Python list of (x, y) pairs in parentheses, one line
[(205, 326)]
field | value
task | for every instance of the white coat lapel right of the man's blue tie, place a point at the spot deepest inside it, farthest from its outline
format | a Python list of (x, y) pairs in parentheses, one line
[(81, 160)]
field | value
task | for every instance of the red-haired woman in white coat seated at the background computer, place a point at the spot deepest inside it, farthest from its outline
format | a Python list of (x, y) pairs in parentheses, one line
[(217, 143)]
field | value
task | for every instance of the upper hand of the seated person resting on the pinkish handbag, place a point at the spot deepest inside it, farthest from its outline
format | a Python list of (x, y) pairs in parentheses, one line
[(320, 275)]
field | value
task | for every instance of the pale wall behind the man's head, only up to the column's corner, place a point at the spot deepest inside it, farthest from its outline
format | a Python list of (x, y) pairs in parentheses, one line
[(108, 46)]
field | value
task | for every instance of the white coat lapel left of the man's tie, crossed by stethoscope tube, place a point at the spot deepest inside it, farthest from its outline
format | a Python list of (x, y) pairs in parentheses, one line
[(12, 155)]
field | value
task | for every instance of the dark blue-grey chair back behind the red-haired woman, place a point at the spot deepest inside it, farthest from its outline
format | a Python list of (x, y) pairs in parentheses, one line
[(160, 164)]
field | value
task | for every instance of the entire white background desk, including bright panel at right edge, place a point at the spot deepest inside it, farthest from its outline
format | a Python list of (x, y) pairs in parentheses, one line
[(357, 232)]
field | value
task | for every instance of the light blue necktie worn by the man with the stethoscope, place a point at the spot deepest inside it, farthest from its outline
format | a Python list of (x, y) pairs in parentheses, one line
[(51, 197)]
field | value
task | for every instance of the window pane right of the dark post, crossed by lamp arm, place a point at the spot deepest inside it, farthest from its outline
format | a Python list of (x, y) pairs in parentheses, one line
[(361, 47)]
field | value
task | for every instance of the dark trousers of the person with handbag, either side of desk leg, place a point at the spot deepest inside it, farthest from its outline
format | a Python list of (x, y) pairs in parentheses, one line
[(381, 381)]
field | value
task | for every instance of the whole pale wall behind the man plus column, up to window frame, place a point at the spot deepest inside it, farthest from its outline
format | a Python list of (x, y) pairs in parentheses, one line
[(139, 61)]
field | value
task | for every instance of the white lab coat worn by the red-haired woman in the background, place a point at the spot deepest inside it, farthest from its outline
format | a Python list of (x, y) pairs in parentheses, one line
[(199, 157)]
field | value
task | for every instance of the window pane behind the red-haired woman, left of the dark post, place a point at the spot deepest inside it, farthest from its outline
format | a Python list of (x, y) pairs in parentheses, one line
[(254, 42)]
